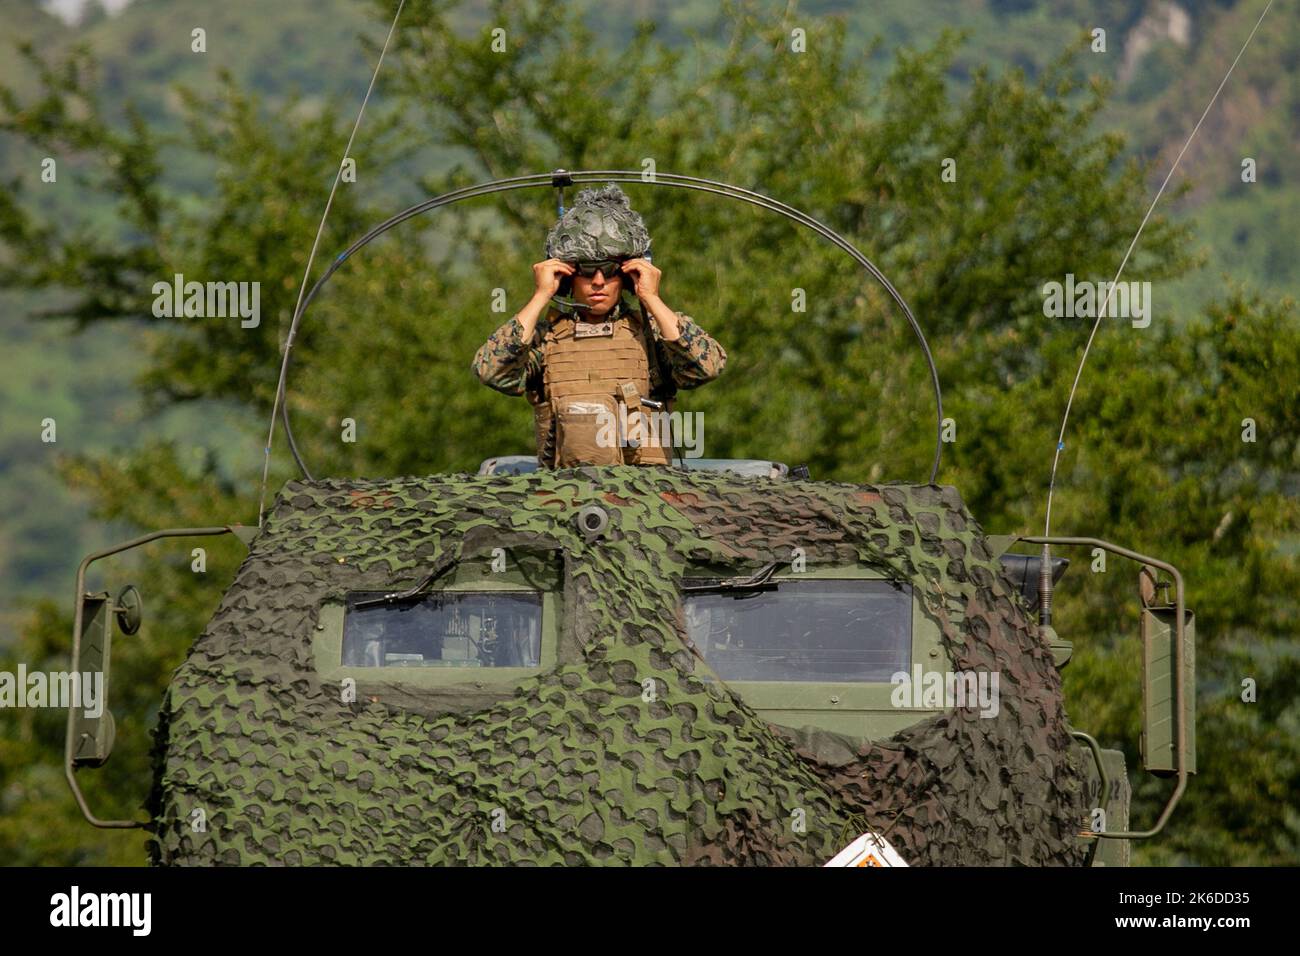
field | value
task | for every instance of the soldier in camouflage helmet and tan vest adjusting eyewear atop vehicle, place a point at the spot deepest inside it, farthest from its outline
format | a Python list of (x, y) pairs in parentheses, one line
[(601, 370)]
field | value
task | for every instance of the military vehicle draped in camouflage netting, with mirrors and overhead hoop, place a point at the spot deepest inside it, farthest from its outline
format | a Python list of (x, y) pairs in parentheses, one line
[(721, 663)]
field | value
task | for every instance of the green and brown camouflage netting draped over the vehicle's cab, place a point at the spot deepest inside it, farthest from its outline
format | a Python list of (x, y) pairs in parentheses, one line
[(583, 767)]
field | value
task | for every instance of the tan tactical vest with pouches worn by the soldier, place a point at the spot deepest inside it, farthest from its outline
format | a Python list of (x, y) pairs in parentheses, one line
[(596, 375)]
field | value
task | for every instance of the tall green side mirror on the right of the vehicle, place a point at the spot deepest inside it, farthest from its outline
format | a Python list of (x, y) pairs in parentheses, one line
[(1160, 715)]
